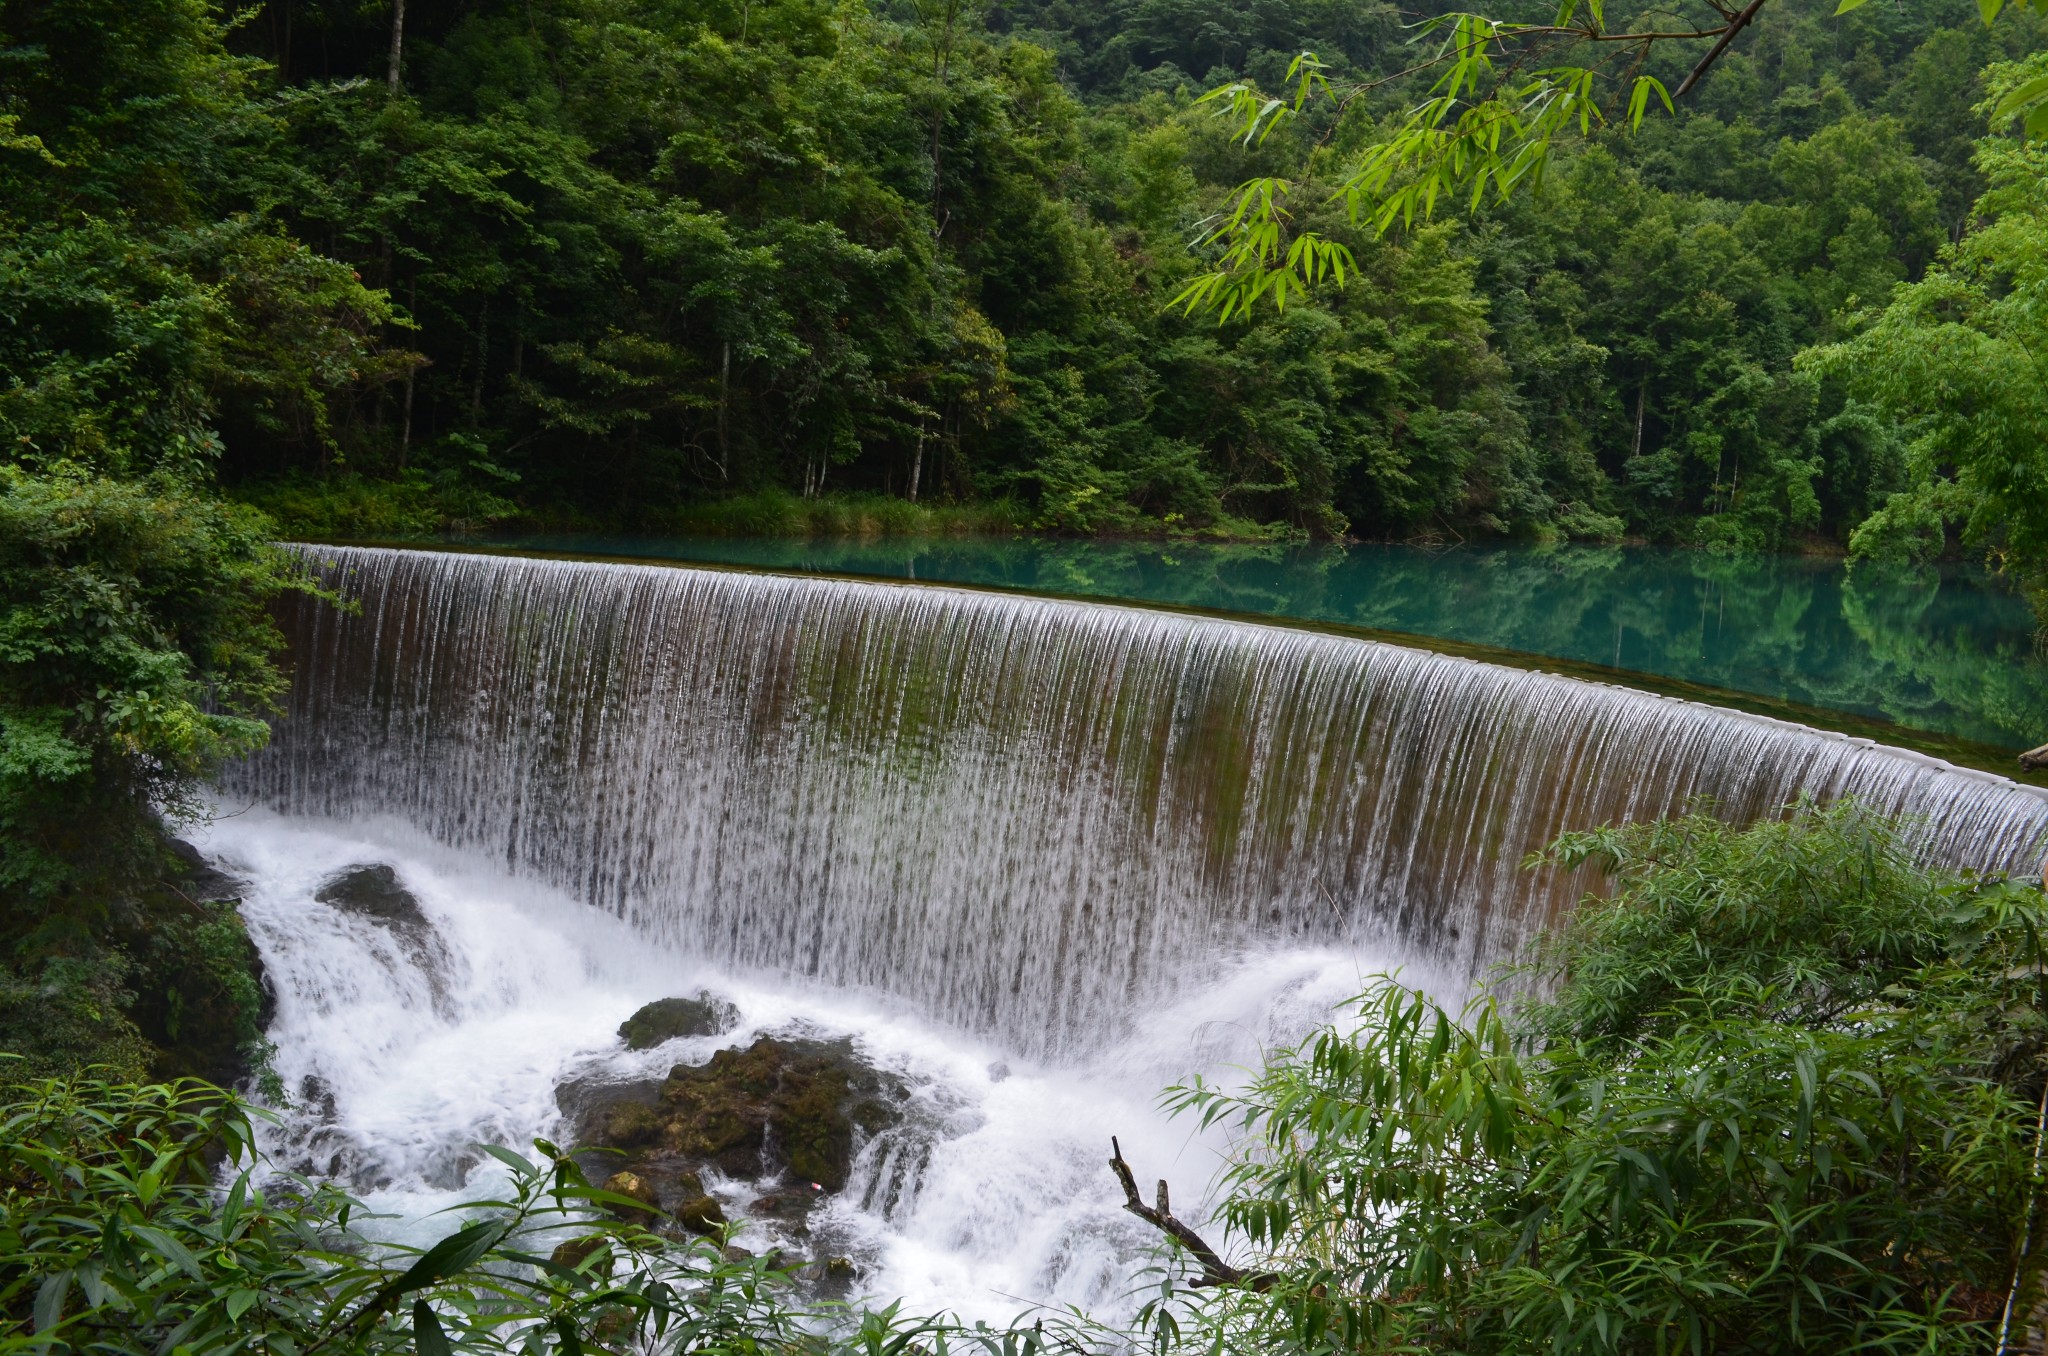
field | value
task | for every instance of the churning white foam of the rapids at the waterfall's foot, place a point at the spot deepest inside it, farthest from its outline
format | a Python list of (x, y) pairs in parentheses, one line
[(402, 1060)]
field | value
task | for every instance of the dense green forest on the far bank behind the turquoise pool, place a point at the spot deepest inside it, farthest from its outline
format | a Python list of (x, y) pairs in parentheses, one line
[(589, 261)]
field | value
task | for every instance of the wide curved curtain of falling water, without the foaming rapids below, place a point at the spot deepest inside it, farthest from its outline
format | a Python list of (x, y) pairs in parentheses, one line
[(1025, 816)]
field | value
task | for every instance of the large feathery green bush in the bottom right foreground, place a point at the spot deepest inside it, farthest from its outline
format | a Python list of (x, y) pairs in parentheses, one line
[(1785, 1097)]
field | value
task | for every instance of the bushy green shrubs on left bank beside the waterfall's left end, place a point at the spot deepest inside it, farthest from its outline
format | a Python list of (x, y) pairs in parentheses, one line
[(136, 656)]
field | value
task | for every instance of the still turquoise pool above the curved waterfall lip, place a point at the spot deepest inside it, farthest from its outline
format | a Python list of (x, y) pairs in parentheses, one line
[(1940, 650)]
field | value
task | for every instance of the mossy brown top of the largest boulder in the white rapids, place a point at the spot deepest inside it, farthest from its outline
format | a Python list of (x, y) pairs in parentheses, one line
[(792, 1105)]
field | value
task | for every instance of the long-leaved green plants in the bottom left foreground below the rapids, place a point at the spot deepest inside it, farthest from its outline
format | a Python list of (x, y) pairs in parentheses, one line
[(140, 1220)]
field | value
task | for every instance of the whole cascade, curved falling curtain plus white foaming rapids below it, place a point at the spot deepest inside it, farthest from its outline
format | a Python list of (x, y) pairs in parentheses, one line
[(970, 829)]
